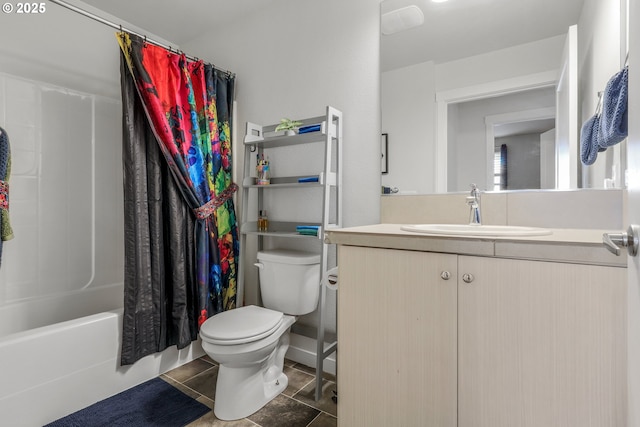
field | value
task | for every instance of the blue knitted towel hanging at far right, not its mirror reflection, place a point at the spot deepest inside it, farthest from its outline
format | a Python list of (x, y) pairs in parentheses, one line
[(613, 120)]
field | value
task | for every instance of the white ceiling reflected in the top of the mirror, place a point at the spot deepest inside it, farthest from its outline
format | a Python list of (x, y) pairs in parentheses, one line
[(459, 28)]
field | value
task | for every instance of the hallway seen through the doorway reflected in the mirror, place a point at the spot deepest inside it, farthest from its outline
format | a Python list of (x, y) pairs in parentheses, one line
[(477, 130)]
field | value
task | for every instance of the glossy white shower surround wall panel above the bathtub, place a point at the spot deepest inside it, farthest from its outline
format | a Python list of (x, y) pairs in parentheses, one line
[(66, 191)]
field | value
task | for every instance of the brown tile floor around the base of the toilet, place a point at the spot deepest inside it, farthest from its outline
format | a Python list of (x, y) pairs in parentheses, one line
[(295, 407)]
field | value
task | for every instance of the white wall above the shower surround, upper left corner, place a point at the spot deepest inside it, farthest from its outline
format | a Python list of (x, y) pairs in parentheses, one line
[(64, 48)]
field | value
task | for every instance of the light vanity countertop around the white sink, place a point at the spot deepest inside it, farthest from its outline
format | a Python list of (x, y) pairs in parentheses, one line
[(562, 245)]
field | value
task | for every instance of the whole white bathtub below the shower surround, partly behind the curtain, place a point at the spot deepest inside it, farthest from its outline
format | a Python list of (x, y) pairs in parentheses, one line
[(49, 370)]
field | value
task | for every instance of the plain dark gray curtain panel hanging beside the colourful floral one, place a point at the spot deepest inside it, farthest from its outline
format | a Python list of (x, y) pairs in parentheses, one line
[(160, 290)]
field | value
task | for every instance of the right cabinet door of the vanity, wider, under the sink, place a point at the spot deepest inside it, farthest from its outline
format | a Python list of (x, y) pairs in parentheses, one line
[(541, 344)]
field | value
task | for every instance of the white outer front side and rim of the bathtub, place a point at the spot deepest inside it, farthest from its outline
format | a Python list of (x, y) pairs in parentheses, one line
[(55, 370)]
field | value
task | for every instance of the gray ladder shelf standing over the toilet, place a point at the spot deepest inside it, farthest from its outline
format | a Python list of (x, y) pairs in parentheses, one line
[(329, 182)]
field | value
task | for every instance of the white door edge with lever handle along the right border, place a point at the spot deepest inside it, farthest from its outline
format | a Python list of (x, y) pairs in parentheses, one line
[(633, 217)]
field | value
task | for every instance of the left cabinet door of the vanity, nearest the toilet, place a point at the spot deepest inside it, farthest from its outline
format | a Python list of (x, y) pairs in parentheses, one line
[(397, 338)]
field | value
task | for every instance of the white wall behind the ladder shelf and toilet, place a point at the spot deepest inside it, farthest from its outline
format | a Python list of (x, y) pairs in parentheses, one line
[(293, 60)]
